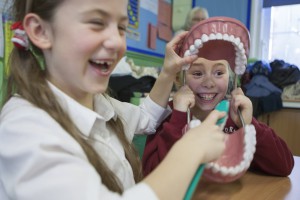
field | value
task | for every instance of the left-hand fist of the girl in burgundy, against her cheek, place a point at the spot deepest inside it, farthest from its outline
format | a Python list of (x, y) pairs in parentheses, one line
[(183, 99)]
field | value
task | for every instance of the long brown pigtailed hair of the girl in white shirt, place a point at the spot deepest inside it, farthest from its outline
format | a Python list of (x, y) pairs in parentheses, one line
[(29, 81)]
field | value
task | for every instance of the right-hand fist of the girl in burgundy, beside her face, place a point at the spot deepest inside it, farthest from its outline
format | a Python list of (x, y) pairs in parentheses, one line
[(239, 100)]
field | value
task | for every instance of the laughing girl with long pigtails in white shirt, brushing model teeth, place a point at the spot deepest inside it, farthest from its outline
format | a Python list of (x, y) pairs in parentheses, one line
[(61, 136)]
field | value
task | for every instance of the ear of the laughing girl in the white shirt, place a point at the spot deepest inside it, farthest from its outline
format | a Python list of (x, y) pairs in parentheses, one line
[(38, 31)]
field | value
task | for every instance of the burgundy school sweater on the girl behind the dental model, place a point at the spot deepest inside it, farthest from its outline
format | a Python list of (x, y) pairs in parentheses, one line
[(272, 155)]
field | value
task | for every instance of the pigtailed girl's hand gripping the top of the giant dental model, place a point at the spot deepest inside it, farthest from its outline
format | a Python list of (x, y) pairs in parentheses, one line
[(173, 63)]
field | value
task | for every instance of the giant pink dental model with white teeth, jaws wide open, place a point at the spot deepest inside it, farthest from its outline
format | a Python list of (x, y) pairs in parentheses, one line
[(219, 38)]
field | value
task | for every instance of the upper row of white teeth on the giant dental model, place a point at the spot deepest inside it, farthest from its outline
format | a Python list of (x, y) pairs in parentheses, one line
[(241, 58)]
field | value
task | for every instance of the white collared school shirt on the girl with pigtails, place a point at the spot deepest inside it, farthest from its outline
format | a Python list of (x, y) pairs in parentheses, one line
[(40, 160)]
